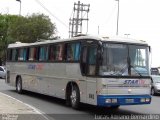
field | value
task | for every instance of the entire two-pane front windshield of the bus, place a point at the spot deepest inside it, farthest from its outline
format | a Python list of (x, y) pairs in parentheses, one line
[(124, 60)]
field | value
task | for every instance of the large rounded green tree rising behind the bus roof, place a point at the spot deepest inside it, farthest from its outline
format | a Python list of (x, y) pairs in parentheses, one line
[(32, 28)]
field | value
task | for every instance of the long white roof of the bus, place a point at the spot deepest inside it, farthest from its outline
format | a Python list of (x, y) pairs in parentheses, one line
[(102, 39)]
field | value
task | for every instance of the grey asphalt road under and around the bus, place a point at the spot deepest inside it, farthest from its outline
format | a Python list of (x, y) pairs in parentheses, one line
[(56, 108)]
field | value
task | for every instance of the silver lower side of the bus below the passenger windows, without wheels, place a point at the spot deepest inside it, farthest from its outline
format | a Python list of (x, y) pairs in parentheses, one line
[(49, 78)]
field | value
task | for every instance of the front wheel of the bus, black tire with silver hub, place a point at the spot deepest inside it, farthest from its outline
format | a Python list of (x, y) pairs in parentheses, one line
[(75, 97)]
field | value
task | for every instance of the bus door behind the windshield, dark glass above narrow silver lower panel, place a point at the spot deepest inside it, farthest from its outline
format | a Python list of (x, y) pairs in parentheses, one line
[(89, 69)]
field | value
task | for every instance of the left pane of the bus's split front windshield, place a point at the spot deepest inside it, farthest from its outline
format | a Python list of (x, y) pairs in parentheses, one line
[(114, 60)]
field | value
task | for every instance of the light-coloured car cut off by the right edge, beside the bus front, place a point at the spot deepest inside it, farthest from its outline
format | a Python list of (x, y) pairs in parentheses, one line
[(155, 87)]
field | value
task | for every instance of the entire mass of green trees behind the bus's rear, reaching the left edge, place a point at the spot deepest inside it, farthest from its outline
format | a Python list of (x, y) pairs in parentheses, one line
[(24, 29)]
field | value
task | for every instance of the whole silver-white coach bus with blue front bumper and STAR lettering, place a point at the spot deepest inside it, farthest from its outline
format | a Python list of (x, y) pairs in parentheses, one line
[(84, 69)]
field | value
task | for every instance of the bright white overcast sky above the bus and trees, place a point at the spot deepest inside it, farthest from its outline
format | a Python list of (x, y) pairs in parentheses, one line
[(139, 18)]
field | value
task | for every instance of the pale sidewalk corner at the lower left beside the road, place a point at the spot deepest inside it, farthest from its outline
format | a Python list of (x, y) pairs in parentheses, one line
[(13, 109)]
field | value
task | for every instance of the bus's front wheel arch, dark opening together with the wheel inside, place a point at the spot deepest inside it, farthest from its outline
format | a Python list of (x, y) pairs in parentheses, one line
[(72, 95)]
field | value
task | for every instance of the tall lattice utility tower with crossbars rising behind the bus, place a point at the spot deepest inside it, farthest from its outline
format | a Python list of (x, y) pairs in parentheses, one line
[(79, 13)]
